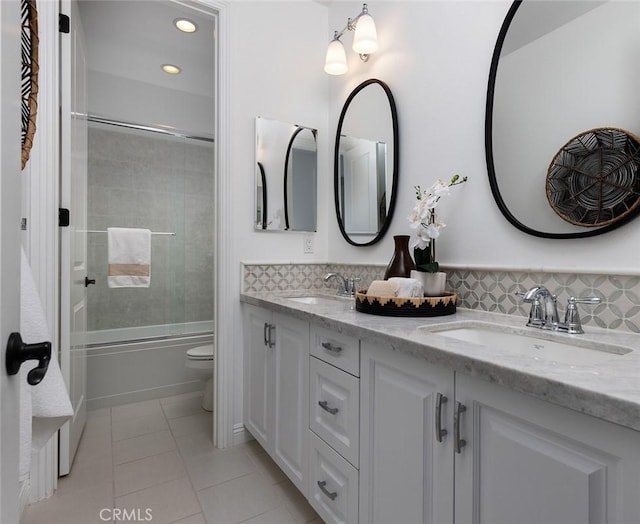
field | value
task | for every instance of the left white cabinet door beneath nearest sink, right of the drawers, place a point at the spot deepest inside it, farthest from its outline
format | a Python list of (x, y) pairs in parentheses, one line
[(406, 475)]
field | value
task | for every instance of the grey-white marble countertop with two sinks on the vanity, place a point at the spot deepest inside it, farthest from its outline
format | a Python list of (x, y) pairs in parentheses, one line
[(609, 390)]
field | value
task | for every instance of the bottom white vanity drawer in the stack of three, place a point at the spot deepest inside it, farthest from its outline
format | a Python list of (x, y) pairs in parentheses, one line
[(333, 484)]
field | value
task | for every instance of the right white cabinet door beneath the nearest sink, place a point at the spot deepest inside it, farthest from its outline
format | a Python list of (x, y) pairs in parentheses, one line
[(528, 461)]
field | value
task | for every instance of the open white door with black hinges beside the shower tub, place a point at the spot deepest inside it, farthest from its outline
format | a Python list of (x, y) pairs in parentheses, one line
[(73, 239)]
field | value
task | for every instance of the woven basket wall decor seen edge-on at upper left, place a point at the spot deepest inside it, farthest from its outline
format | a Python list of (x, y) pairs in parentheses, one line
[(29, 75)]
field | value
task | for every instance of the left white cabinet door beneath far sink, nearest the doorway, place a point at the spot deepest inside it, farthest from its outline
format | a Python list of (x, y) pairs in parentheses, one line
[(257, 373)]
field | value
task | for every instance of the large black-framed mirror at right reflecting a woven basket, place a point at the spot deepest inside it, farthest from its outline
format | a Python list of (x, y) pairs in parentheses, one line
[(540, 96)]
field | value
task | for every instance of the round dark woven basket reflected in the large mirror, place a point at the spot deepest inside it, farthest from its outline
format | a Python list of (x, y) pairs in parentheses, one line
[(594, 179)]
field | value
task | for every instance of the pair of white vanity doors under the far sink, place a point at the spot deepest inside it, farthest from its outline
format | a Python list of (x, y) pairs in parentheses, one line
[(276, 404)]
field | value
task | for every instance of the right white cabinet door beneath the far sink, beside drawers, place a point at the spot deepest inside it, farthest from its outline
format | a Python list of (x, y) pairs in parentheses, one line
[(291, 397)]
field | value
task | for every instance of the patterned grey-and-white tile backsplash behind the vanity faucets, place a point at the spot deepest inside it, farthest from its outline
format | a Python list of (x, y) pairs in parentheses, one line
[(485, 290)]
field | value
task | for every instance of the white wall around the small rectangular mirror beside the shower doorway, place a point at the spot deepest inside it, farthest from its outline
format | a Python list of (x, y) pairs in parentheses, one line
[(277, 54)]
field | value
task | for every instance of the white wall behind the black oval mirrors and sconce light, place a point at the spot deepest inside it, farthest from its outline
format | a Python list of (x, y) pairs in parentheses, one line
[(435, 57)]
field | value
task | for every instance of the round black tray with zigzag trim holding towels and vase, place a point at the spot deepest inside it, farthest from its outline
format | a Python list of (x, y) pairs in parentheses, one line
[(406, 307)]
